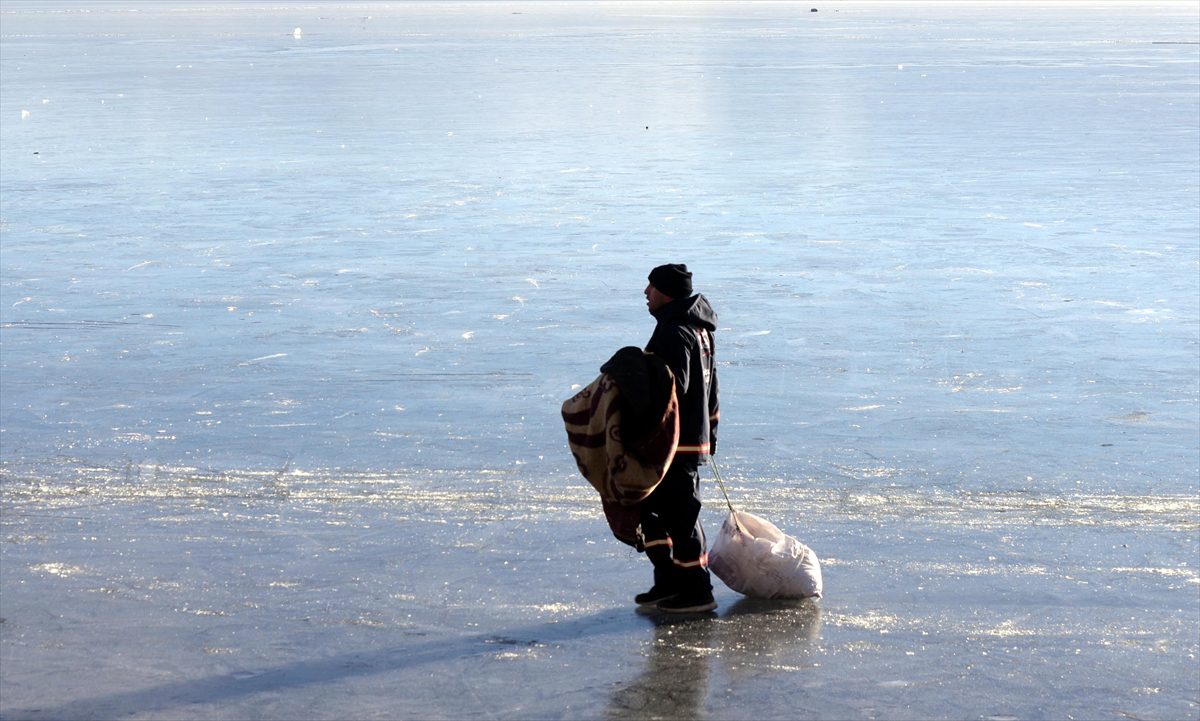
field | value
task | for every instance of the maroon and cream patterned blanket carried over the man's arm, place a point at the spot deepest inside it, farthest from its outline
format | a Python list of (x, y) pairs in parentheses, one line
[(622, 474)]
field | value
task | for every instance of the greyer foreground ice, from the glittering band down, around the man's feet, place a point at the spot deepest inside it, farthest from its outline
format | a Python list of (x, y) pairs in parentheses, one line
[(463, 596)]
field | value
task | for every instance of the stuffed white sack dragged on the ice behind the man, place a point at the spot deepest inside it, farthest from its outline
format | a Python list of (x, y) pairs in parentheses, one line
[(755, 558)]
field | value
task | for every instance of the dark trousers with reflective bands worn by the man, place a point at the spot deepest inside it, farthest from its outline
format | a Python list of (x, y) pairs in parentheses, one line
[(671, 531)]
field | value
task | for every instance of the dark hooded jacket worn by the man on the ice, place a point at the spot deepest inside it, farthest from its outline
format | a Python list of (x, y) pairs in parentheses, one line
[(683, 339)]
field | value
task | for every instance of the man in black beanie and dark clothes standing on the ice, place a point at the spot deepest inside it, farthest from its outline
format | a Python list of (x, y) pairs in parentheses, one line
[(670, 516)]
